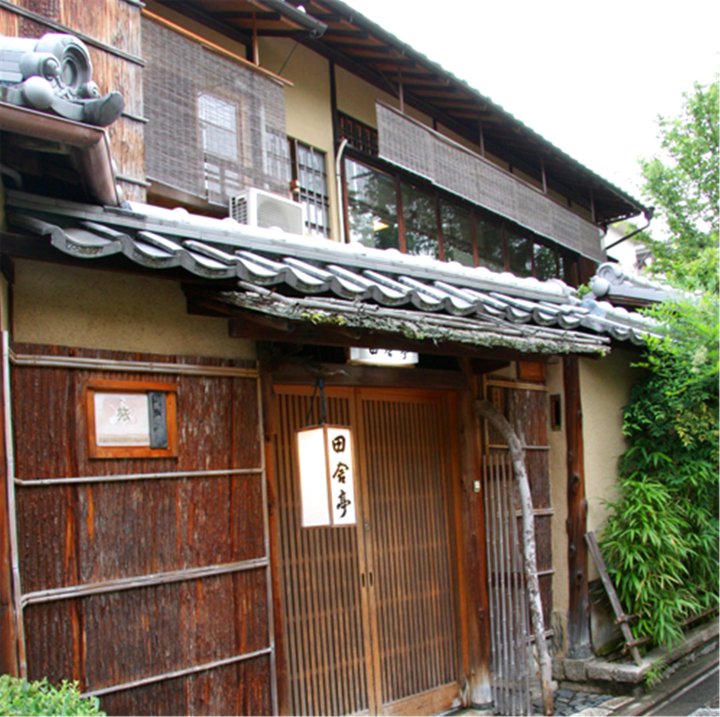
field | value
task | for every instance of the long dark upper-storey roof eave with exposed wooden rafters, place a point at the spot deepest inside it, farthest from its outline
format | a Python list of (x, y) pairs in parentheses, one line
[(367, 50)]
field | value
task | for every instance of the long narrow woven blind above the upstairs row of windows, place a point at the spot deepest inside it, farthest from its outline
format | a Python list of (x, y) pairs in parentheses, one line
[(422, 151)]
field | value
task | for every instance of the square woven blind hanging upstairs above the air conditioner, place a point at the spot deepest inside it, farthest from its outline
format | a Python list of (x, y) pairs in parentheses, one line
[(211, 120)]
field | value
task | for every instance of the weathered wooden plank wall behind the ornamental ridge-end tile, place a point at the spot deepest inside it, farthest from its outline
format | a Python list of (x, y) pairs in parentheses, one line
[(112, 24)]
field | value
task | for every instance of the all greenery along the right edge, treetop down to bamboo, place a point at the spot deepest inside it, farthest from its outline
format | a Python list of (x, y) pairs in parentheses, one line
[(661, 539)]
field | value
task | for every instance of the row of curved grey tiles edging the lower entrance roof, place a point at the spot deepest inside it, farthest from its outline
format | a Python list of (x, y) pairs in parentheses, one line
[(519, 315)]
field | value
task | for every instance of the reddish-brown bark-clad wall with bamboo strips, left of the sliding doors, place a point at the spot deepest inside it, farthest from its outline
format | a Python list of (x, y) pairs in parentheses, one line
[(89, 537)]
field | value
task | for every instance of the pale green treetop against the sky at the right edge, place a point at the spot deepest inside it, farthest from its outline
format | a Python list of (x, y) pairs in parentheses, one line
[(683, 185)]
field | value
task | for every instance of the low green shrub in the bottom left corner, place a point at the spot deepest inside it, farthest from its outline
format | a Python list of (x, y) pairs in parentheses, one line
[(20, 697)]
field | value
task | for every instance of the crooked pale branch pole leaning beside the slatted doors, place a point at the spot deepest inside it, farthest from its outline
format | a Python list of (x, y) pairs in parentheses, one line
[(517, 454)]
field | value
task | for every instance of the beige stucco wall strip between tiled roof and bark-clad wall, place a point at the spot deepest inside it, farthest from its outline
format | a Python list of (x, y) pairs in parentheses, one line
[(75, 306)]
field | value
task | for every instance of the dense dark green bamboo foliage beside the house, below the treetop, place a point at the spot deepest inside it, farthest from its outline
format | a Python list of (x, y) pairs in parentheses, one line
[(661, 539)]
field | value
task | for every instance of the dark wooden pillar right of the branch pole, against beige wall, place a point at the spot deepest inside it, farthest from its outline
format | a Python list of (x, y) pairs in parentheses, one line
[(579, 608)]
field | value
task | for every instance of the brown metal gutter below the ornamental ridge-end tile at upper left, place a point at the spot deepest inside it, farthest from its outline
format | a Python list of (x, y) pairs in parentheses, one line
[(88, 145)]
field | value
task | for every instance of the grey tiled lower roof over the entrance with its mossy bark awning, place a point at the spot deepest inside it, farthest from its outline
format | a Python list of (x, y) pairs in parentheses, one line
[(307, 279)]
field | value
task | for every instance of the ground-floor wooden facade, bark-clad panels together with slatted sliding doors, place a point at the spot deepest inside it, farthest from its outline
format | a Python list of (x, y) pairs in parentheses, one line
[(148, 580)]
